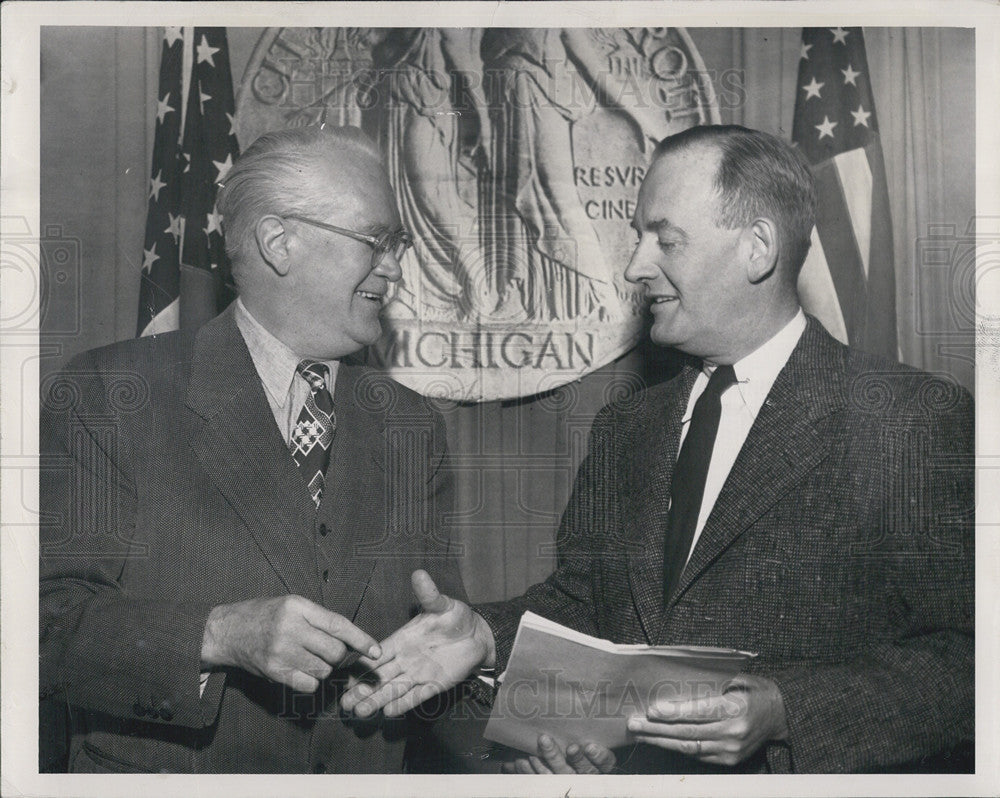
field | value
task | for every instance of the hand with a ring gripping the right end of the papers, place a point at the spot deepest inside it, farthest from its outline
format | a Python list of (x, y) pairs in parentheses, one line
[(723, 729)]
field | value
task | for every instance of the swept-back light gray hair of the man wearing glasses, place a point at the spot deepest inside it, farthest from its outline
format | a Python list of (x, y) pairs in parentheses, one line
[(276, 174)]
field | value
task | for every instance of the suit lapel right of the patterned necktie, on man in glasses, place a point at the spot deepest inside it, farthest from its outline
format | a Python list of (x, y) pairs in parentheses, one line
[(354, 479)]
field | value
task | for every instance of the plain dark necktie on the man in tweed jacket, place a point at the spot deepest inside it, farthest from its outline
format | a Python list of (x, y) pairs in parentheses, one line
[(688, 485)]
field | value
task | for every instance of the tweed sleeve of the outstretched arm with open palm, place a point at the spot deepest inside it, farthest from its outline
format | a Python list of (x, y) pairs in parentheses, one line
[(568, 595)]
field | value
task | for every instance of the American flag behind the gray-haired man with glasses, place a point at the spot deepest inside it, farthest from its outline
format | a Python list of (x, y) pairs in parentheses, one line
[(185, 272)]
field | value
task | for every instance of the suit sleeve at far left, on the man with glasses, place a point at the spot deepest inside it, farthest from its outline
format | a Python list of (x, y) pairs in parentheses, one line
[(106, 650)]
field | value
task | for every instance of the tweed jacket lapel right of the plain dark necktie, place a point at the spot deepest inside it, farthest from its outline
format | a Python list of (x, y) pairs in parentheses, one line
[(782, 447)]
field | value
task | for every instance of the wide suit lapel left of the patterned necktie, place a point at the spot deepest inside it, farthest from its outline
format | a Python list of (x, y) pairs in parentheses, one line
[(239, 446)]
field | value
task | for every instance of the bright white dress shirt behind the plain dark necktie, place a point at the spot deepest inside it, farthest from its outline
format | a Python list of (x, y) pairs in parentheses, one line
[(755, 374)]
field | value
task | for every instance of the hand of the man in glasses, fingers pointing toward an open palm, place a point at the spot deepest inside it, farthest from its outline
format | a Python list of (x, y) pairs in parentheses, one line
[(287, 639)]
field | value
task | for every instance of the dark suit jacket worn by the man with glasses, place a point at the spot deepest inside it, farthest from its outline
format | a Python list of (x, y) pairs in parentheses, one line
[(167, 490)]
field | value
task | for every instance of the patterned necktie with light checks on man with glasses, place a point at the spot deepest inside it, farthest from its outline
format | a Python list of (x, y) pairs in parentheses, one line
[(313, 433)]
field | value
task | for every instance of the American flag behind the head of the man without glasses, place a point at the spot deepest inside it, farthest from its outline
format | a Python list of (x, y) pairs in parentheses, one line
[(848, 280)]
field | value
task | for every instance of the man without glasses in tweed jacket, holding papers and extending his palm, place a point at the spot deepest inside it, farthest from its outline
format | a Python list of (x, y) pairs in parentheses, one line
[(836, 530)]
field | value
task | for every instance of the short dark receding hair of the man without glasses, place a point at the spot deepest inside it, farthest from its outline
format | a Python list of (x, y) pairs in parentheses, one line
[(759, 175)]
